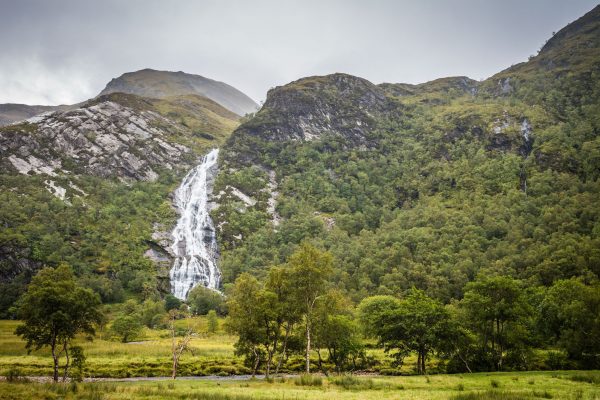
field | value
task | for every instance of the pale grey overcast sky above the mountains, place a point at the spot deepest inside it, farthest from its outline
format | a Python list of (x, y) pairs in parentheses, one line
[(59, 51)]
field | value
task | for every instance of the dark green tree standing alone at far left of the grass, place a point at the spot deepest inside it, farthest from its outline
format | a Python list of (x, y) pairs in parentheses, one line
[(54, 309)]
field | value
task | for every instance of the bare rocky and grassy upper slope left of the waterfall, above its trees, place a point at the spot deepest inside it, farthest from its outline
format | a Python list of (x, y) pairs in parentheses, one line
[(117, 135)]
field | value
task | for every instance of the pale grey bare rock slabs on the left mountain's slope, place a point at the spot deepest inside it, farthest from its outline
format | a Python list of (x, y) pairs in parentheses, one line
[(106, 140)]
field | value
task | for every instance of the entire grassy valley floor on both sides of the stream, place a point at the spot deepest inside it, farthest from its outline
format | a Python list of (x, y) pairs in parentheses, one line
[(213, 355)]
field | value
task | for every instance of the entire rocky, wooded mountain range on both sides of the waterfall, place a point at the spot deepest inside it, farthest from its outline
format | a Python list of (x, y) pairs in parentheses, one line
[(427, 185)]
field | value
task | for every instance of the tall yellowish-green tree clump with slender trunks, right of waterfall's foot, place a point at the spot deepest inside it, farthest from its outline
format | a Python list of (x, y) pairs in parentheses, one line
[(263, 315)]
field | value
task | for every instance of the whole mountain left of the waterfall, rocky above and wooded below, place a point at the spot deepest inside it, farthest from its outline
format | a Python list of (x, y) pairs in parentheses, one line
[(91, 185)]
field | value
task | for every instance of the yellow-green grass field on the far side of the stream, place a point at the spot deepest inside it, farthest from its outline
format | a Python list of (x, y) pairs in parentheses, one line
[(148, 356)]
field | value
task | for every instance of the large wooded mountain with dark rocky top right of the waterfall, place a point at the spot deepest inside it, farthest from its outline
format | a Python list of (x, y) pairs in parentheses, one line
[(425, 185)]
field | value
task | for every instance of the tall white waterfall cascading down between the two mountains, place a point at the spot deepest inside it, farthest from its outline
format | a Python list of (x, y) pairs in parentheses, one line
[(194, 239)]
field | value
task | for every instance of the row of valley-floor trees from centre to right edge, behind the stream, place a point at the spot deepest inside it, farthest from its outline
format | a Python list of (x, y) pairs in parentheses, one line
[(499, 324)]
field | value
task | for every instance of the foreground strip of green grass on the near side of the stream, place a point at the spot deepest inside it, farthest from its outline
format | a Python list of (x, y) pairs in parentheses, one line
[(505, 386)]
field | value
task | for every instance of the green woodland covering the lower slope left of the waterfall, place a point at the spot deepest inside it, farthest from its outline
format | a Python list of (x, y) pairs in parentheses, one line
[(102, 231)]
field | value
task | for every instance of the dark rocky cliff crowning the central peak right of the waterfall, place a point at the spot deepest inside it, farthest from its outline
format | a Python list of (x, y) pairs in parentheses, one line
[(306, 109)]
